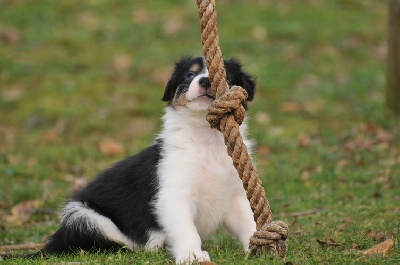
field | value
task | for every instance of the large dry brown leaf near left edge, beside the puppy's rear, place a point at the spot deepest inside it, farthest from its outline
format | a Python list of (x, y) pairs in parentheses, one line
[(21, 212)]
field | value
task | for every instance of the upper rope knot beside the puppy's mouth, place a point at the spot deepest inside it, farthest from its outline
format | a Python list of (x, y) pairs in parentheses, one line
[(228, 103)]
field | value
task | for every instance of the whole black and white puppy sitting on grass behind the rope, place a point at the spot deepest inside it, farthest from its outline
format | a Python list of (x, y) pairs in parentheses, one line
[(176, 192)]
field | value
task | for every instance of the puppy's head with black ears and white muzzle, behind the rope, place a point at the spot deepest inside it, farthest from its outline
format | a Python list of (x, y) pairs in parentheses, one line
[(189, 86)]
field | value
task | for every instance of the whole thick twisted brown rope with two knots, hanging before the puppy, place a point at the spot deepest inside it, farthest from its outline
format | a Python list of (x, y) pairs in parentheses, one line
[(226, 114)]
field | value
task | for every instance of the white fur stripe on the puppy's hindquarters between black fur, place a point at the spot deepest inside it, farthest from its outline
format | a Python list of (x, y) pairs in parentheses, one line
[(80, 215)]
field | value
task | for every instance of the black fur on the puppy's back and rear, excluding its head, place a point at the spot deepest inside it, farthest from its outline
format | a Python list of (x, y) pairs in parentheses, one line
[(123, 193)]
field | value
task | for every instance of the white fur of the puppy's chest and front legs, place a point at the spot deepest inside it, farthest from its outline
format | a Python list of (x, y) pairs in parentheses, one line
[(200, 189)]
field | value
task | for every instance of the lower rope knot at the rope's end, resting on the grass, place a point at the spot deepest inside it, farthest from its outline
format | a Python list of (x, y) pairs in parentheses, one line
[(272, 237)]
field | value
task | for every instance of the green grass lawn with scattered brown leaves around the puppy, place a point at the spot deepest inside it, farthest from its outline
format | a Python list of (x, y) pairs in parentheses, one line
[(74, 74)]
